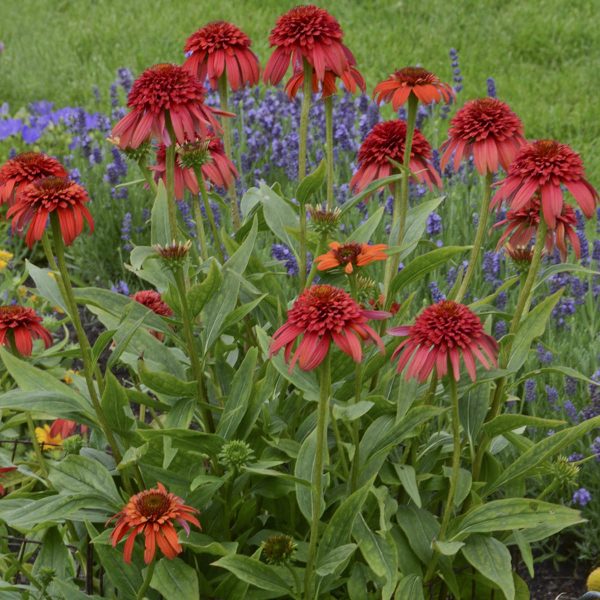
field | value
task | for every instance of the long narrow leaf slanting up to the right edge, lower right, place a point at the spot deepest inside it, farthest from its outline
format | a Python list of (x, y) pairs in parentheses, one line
[(540, 452)]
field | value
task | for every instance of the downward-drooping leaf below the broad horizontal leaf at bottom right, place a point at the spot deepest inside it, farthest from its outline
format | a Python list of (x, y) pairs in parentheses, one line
[(492, 559)]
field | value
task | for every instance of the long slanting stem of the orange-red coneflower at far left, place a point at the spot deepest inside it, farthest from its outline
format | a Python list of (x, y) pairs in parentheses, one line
[(84, 344)]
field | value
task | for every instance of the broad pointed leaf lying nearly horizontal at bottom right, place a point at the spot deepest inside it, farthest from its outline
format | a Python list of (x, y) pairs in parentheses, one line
[(512, 513)]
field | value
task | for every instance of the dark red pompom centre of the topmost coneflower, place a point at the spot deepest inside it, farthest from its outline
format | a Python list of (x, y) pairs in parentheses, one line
[(305, 26)]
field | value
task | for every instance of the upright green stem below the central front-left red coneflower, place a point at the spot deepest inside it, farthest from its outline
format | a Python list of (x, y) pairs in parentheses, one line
[(317, 475)]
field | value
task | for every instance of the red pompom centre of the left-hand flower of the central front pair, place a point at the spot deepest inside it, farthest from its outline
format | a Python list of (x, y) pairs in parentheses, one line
[(323, 308)]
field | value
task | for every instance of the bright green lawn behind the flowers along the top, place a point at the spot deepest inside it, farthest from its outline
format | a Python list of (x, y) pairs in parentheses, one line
[(544, 54)]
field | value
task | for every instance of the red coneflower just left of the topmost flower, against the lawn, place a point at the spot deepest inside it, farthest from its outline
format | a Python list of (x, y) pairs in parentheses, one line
[(218, 48)]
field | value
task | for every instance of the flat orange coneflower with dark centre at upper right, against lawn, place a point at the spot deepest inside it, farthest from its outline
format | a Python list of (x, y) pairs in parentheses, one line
[(426, 86)]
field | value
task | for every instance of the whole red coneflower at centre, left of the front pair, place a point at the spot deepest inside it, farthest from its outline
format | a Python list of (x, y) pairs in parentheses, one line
[(323, 314)]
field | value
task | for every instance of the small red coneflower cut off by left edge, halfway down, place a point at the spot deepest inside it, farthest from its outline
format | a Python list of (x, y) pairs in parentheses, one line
[(20, 325)]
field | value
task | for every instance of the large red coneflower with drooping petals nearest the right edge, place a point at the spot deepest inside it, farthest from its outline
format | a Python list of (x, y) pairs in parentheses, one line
[(542, 167)]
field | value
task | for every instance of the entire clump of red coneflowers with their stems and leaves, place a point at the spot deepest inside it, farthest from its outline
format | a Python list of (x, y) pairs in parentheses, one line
[(230, 428)]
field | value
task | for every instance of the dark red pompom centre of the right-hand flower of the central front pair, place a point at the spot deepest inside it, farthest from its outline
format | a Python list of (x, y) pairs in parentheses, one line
[(446, 324)]
